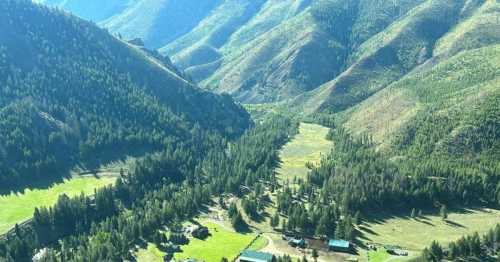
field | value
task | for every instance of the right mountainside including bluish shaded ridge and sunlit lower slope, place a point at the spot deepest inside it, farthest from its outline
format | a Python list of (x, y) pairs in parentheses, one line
[(443, 105)]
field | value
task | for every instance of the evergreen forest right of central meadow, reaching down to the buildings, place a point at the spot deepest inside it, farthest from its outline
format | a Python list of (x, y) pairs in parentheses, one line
[(355, 178)]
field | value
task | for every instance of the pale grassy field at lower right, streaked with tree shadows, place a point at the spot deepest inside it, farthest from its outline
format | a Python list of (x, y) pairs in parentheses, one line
[(415, 235)]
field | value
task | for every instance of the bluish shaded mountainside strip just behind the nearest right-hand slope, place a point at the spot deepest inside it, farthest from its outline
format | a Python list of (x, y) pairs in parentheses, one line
[(391, 54)]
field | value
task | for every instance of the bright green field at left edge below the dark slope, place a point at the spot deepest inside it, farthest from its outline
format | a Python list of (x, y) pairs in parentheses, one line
[(19, 207)]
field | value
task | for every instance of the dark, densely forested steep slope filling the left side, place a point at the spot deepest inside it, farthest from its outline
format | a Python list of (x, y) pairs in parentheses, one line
[(71, 92)]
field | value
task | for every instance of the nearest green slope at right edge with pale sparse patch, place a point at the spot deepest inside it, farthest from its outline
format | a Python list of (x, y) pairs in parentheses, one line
[(450, 110)]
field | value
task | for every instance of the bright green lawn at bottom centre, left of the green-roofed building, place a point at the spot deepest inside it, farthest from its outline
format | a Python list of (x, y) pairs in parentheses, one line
[(221, 243)]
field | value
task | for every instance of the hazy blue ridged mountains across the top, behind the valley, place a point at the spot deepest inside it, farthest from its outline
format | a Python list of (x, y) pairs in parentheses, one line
[(326, 55)]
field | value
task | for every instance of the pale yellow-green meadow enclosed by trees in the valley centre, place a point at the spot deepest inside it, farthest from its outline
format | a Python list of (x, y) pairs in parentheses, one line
[(307, 146)]
